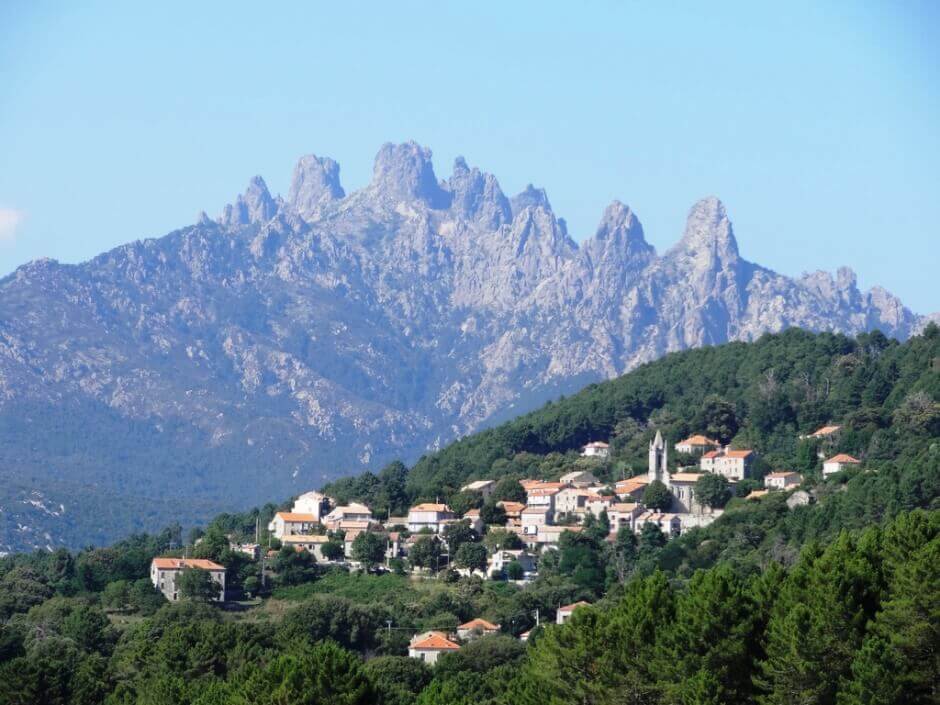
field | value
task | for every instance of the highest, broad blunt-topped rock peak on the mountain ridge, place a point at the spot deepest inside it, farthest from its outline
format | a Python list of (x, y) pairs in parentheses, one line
[(404, 172)]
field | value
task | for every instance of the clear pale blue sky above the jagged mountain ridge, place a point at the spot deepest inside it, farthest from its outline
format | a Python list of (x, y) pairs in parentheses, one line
[(817, 124)]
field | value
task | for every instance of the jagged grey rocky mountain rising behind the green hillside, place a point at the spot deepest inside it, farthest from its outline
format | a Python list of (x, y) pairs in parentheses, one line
[(295, 340)]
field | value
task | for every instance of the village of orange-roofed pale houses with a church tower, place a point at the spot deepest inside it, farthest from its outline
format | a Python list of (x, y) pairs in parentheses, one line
[(351, 536)]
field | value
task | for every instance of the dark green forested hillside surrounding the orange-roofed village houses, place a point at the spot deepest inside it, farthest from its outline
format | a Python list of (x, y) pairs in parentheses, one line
[(829, 602)]
